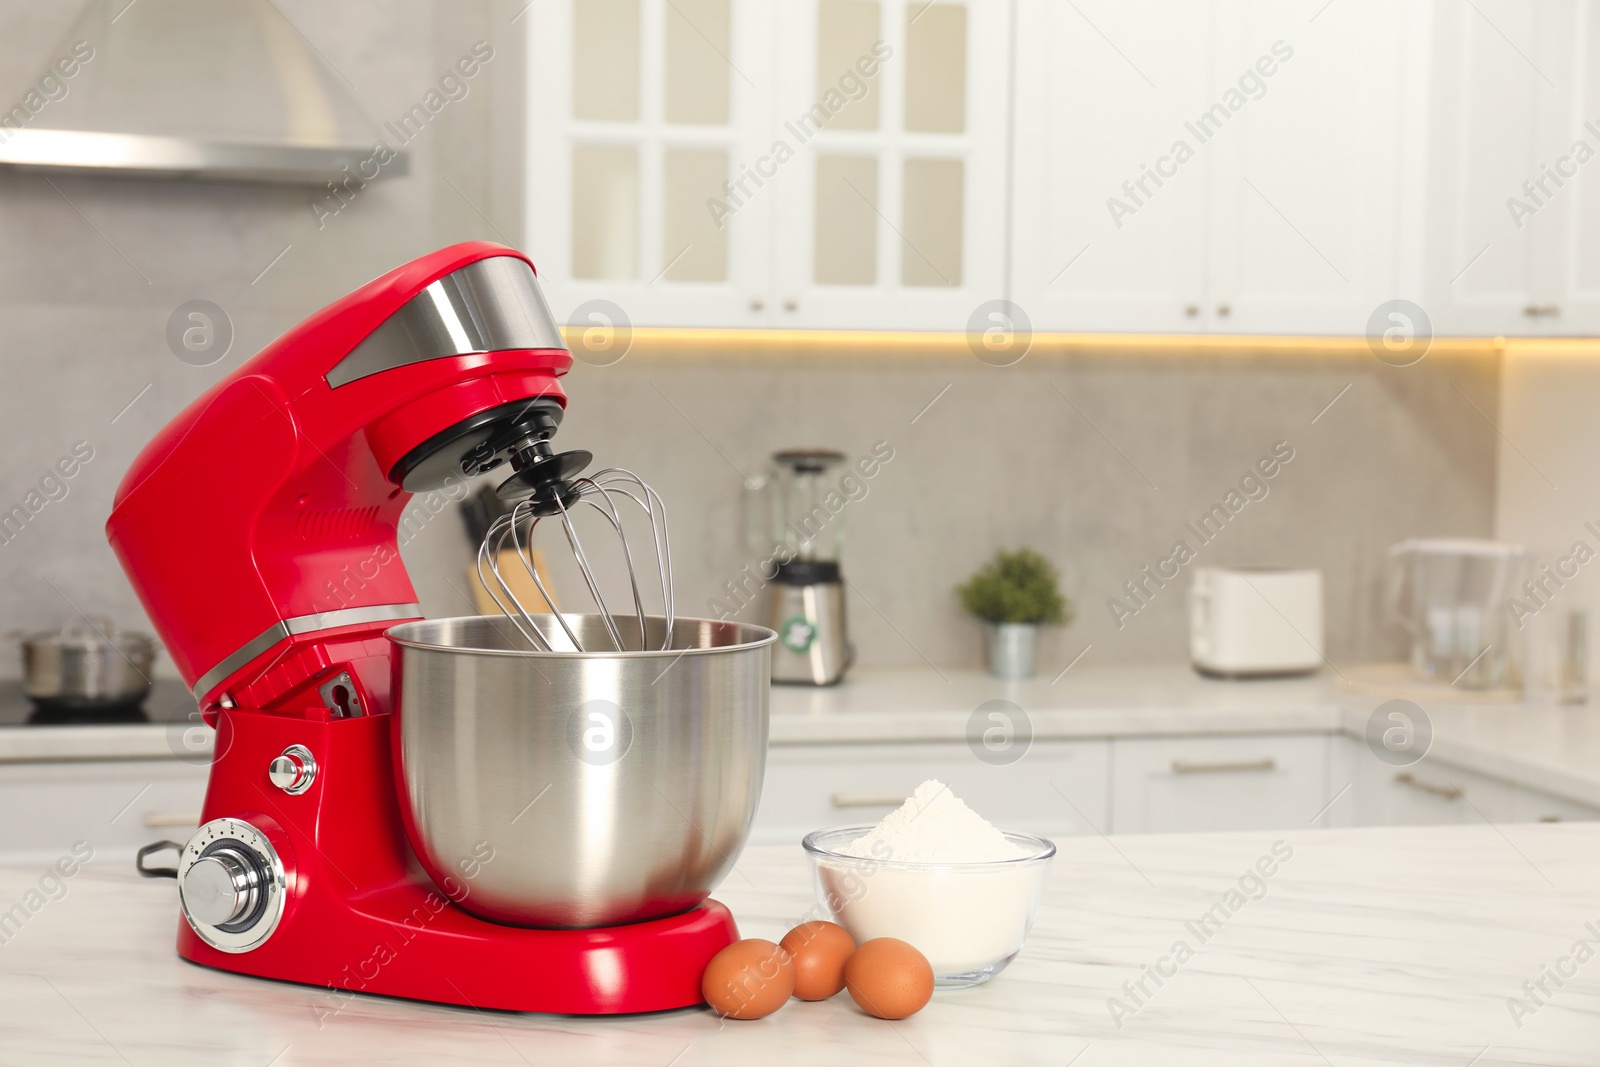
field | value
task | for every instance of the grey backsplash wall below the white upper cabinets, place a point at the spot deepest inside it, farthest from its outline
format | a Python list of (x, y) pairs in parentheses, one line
[(1102, 462)]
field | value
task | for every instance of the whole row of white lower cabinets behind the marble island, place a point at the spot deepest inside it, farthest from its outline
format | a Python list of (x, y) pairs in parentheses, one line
[(1057, 788)]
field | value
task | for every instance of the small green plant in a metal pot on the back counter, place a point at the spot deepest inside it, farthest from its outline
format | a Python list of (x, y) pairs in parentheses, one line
[(1015, 594)]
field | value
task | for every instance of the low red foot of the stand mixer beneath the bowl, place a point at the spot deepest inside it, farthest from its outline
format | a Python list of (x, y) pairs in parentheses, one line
[(394, 943)]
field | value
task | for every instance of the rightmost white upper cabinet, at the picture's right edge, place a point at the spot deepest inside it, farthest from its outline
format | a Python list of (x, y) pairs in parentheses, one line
[(1514, 242)]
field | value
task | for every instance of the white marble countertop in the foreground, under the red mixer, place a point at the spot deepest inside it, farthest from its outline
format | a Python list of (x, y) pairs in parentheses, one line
[(1377, 946)]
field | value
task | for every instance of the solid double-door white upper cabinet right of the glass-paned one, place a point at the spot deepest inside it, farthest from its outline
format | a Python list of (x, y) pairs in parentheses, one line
[(1228, 167)]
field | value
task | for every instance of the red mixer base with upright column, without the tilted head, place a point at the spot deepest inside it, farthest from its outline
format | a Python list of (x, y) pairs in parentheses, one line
[(361, 917)]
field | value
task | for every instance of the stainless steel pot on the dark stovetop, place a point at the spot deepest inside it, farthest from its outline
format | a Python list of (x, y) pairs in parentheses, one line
[(87, 666)]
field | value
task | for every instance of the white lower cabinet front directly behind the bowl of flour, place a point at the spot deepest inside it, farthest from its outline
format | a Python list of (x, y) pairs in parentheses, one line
[(1057, 788)]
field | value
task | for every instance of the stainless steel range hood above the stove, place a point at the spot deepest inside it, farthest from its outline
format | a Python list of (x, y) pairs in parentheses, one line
[(193, 89)]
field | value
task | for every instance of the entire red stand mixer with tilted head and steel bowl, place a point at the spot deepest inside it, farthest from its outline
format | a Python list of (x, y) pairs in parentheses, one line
[(260, 533)]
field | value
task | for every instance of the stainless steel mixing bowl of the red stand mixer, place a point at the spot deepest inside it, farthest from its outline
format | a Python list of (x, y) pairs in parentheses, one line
[(578, 789)]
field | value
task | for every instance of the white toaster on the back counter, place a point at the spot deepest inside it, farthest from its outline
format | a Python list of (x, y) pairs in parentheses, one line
[(1250, 623)]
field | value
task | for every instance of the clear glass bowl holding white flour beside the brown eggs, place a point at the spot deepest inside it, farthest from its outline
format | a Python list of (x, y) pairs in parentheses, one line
[(969, 919)]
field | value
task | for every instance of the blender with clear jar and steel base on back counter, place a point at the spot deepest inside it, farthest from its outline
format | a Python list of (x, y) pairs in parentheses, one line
[(806, 597)]
